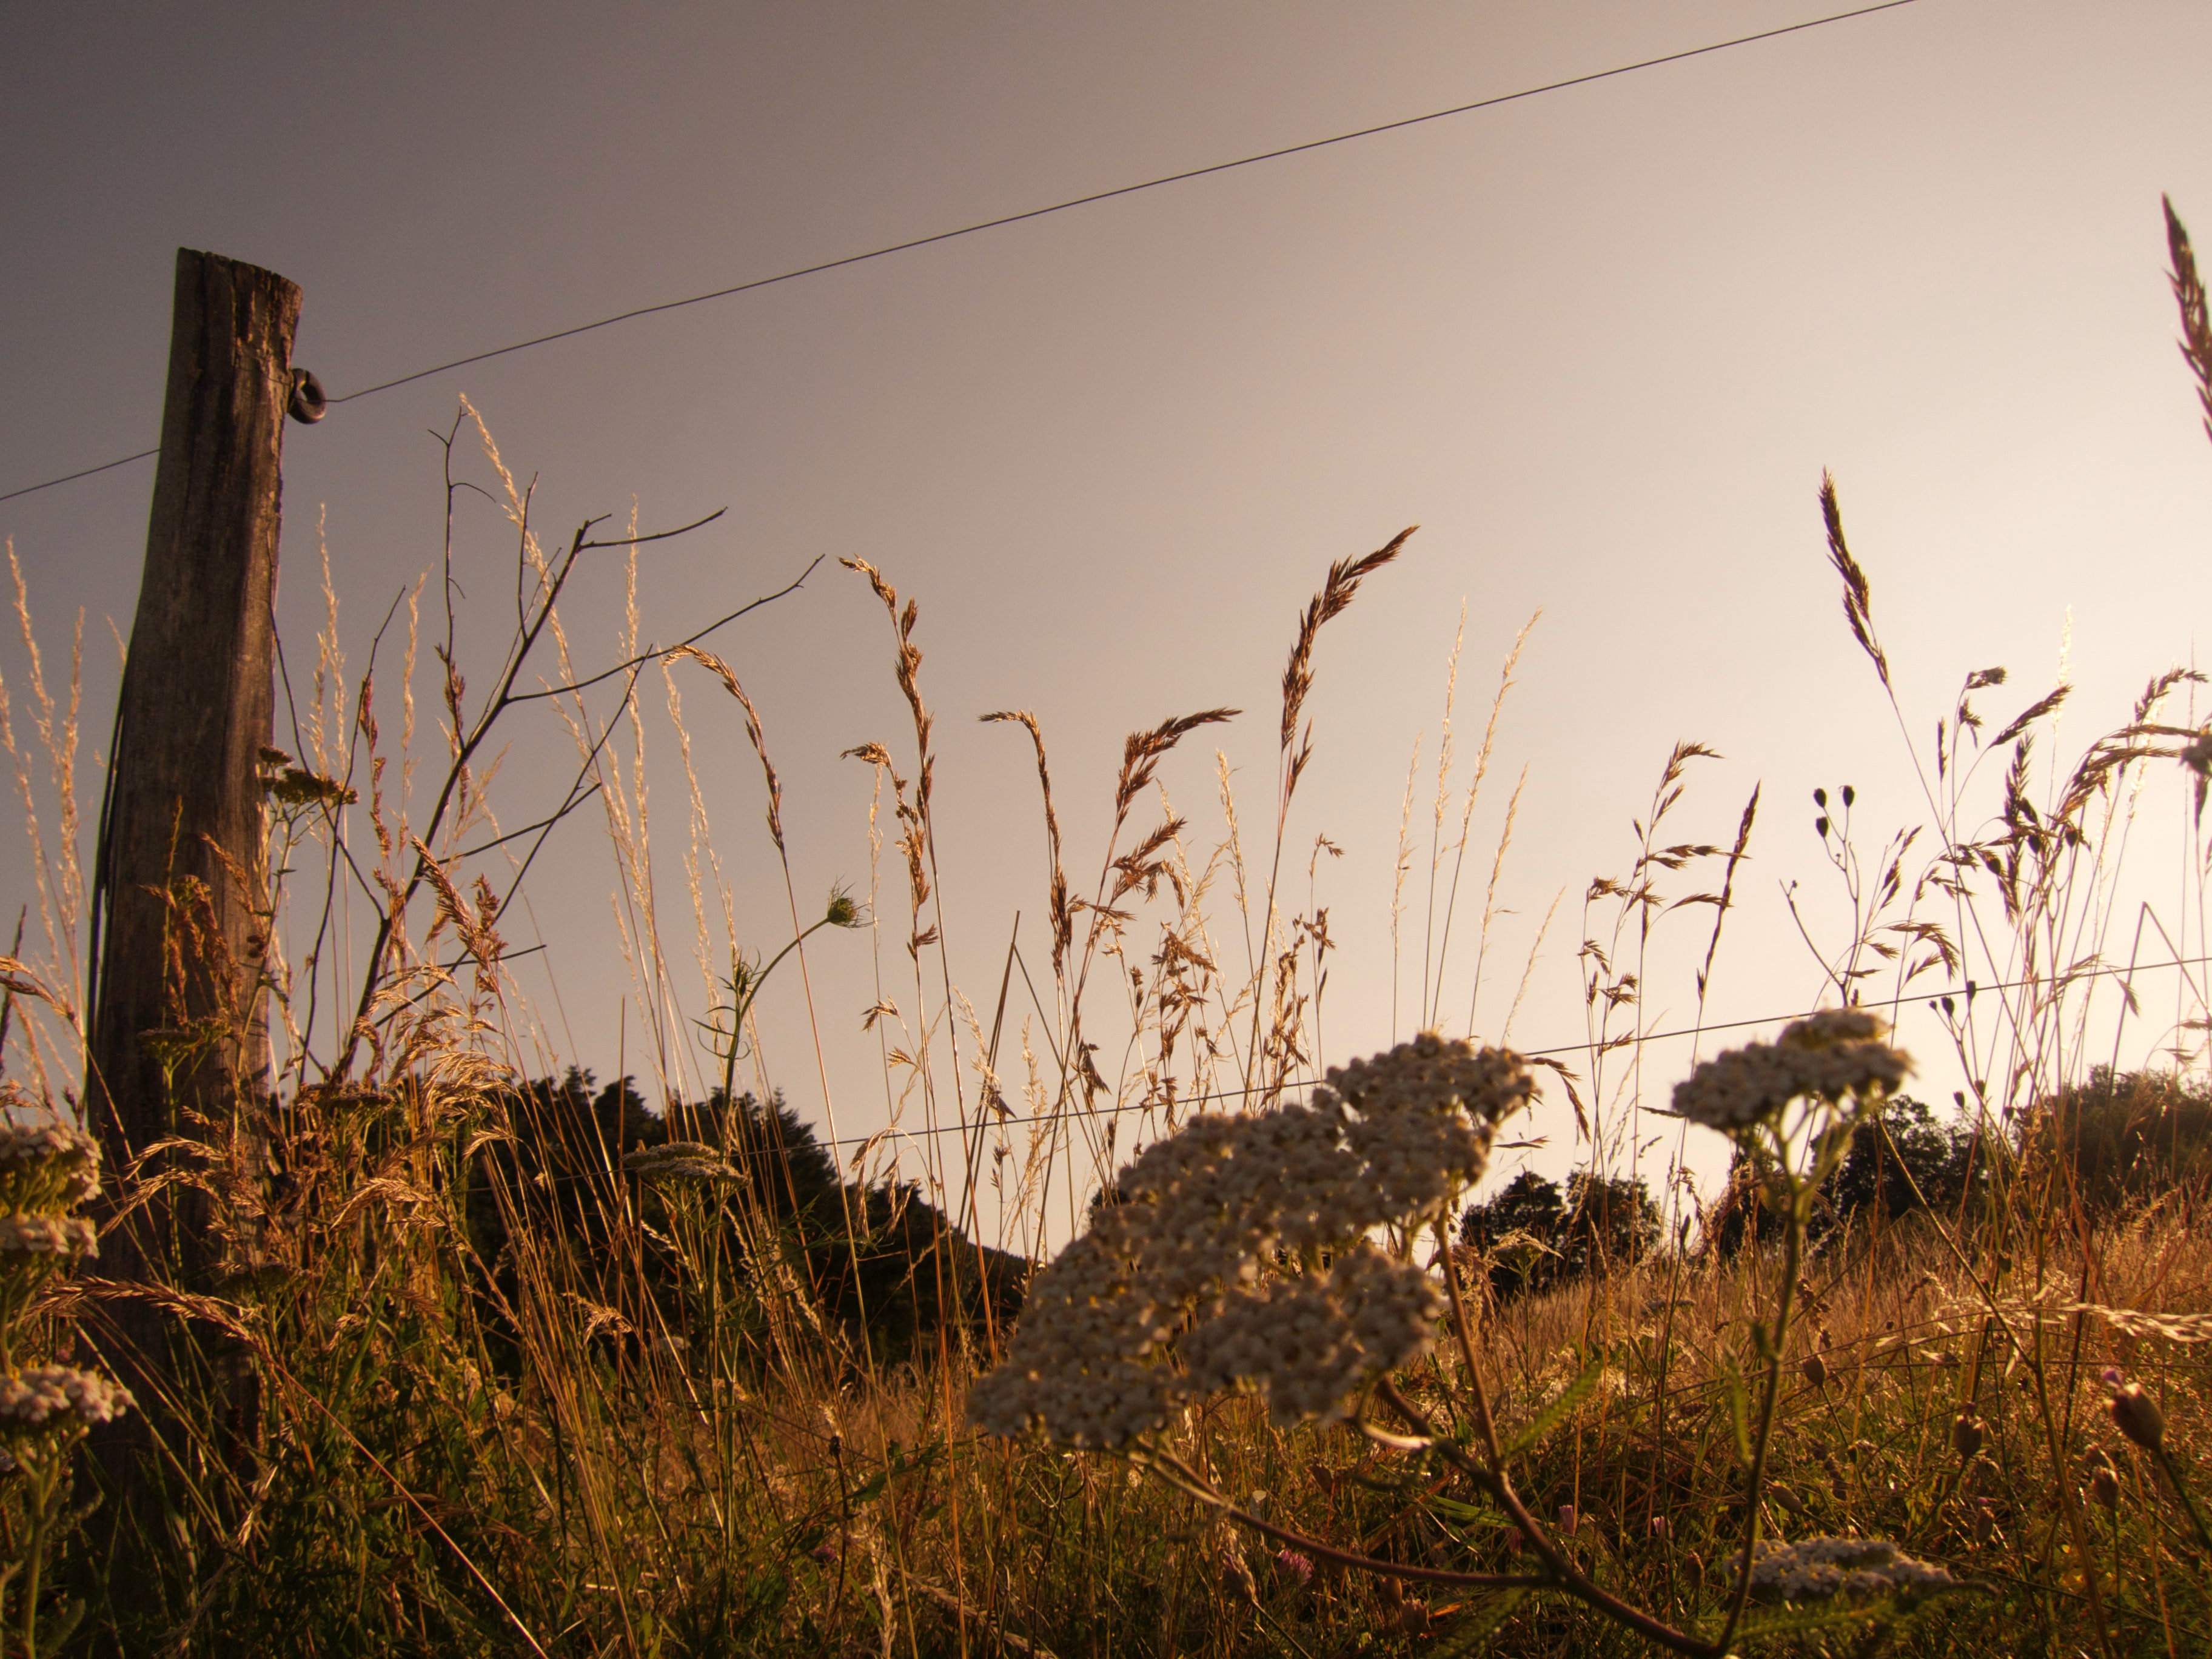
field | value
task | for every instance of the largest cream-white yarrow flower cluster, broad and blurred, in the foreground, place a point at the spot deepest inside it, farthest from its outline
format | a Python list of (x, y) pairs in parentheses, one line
[(1191, 1224)]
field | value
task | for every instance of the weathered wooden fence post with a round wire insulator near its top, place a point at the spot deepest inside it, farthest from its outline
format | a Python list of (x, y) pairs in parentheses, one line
[(180, 890)]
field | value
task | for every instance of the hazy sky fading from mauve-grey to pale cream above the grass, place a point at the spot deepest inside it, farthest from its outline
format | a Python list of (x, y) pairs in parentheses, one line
[(1598, 344)]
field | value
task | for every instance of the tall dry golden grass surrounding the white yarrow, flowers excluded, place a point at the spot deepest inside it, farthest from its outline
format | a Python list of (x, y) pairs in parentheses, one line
[(508, 1395)]
